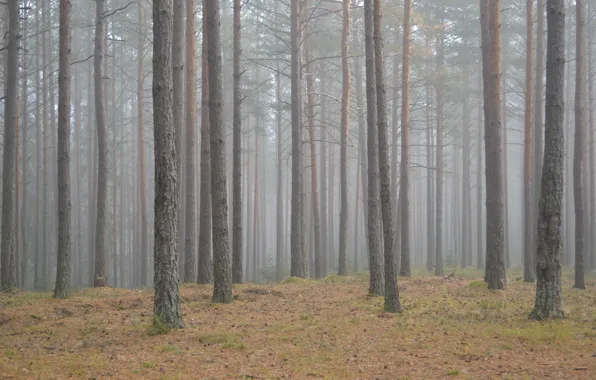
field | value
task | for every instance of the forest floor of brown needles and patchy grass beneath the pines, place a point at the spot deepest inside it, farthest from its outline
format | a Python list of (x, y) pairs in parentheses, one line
[(452, 327)]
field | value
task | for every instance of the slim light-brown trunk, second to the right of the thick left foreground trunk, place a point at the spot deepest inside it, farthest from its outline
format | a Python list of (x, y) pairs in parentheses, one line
[(190, 246)]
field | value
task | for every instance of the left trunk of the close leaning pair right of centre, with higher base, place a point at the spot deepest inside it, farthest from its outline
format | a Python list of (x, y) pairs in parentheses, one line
[(374, 217)]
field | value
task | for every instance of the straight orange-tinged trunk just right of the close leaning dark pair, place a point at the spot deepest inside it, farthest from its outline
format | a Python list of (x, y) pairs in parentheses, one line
[(404, 178)]
